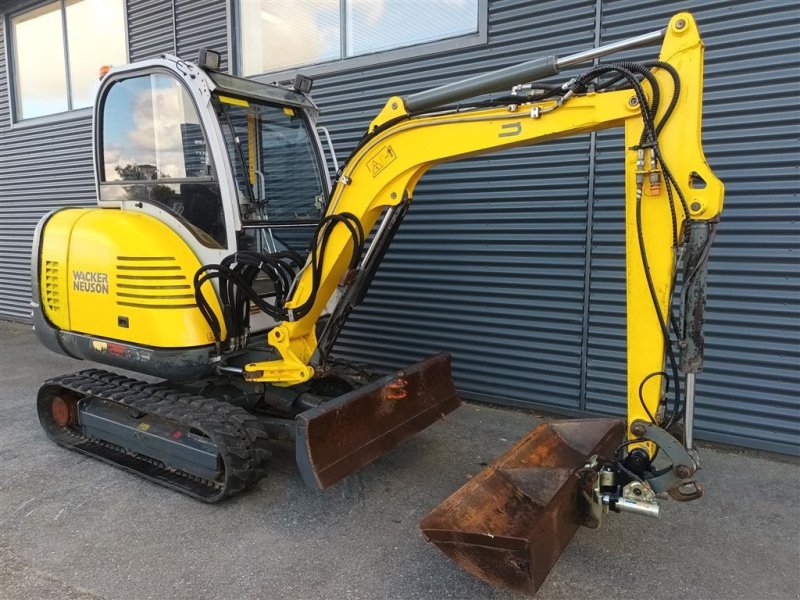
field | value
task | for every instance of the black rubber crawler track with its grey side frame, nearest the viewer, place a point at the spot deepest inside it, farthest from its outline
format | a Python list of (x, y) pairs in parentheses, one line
[(205, 448)]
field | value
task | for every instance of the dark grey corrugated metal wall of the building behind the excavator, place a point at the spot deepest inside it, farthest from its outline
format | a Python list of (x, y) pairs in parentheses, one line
[(490, 263)]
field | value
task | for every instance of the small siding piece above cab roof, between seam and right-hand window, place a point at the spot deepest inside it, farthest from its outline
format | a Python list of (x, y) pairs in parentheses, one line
[(202, 24)]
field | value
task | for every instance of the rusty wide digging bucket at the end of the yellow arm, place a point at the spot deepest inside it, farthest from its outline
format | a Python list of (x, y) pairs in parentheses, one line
[(509, 524)]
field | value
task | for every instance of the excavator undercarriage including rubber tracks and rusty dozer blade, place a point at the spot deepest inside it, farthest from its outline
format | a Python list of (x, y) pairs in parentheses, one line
[(211, 448)]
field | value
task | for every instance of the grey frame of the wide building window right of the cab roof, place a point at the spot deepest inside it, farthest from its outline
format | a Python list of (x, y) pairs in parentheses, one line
[(360, 61)]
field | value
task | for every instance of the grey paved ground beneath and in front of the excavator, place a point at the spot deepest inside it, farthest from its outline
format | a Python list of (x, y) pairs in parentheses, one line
[(73, 528)]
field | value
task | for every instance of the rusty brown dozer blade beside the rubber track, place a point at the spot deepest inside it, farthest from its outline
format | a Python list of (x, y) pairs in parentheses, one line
[(341, 436)]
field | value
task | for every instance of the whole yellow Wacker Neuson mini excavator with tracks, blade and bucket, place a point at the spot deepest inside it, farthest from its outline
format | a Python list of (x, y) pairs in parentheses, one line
[(222, 260)]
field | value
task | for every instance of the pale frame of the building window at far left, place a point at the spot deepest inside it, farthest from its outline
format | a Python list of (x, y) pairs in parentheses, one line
[(11, 65)]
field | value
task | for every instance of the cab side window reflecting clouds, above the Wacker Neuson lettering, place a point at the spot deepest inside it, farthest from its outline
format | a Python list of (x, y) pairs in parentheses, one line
[(154, 150)]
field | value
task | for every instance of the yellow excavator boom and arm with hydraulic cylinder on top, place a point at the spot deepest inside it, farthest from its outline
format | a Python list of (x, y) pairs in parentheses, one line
[(379, 179)]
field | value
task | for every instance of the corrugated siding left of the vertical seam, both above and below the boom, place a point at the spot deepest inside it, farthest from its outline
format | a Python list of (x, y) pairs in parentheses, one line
[(489, 264)]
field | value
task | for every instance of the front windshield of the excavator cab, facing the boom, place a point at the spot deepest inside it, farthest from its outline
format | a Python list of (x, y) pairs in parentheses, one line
[(277, 173)]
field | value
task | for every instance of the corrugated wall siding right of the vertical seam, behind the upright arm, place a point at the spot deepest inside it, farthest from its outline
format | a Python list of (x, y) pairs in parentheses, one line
[(748, 393)]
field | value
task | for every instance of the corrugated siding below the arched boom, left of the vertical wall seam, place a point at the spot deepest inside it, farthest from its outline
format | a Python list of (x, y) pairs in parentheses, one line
[(507, 305)]
